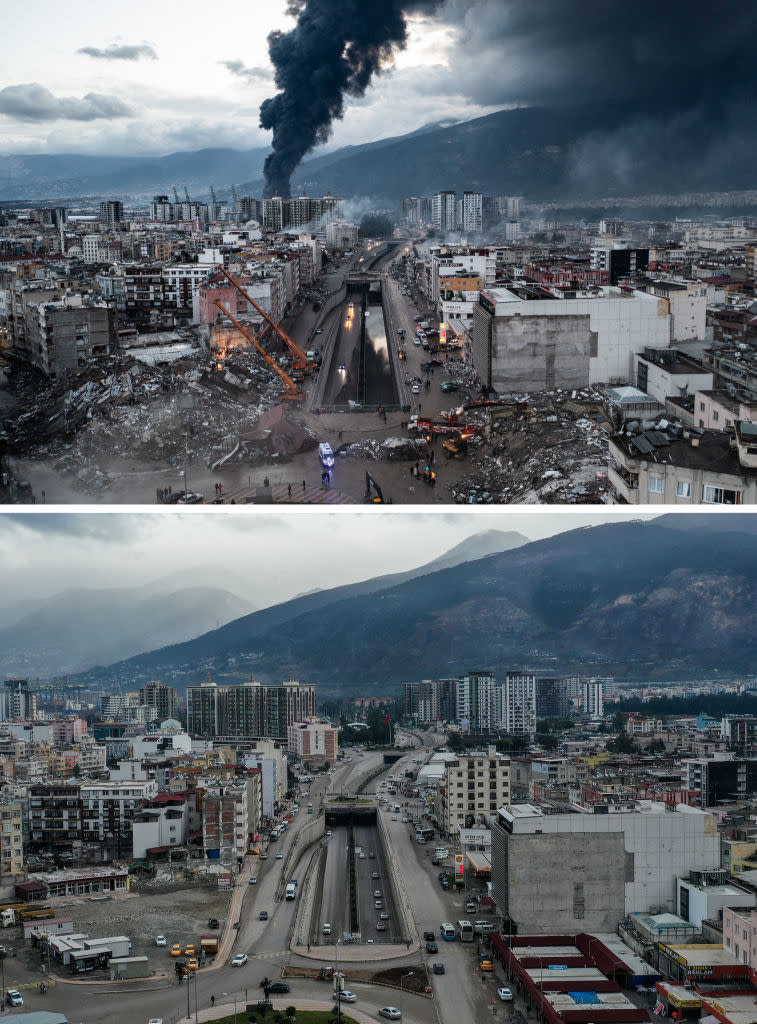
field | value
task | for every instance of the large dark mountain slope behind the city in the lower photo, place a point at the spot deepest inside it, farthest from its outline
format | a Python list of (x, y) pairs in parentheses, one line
[(636, 600)]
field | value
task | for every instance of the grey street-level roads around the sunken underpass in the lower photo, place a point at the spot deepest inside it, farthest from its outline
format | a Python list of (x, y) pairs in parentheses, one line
[(460, 995)]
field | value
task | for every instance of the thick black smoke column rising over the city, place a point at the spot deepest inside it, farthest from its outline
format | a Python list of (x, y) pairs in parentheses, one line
[(333, 52)]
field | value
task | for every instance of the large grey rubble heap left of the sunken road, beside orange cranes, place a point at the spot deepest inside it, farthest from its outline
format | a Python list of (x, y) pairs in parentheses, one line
[(127, 410)]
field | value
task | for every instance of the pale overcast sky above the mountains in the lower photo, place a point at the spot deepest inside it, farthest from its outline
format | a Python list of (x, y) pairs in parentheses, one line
[(266, 557)]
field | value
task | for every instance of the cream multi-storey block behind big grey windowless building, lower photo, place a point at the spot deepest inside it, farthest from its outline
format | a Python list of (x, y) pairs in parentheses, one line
[(475, 787)]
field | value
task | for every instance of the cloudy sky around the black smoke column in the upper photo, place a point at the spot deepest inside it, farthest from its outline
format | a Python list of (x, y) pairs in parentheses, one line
[(152, 79)]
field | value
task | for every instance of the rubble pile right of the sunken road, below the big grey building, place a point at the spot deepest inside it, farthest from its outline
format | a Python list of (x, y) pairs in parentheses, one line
[(552, 451)]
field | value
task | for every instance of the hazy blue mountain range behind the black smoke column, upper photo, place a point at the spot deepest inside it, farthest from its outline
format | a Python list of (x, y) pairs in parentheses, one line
[(540, 153)]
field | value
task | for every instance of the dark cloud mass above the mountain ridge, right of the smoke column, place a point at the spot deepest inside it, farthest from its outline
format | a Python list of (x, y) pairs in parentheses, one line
[(650, 58)]
